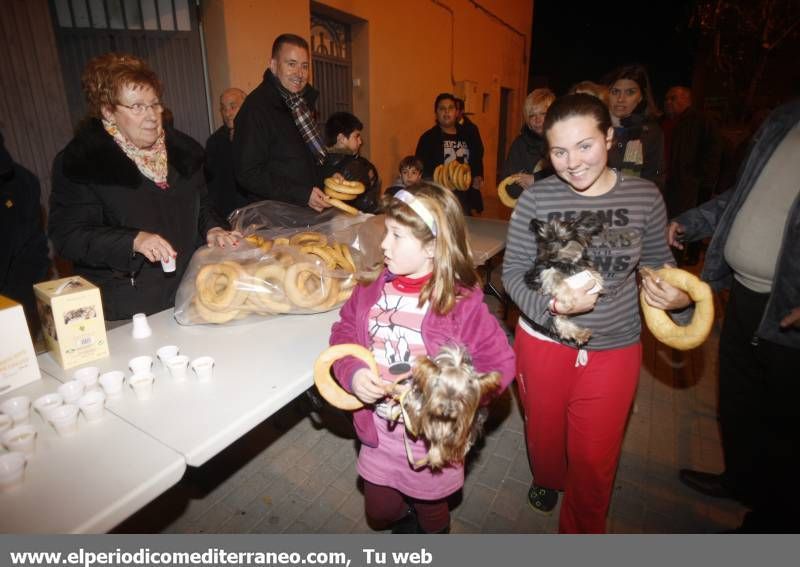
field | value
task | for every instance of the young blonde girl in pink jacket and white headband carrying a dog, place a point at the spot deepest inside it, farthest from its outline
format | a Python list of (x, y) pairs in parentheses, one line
[(427, 296)]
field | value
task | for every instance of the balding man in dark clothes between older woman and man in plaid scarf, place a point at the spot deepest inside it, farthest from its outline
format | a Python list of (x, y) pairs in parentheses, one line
[(221, 180)]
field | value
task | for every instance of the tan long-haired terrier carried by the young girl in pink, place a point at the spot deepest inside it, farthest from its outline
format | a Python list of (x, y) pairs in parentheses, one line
[(443, 404)]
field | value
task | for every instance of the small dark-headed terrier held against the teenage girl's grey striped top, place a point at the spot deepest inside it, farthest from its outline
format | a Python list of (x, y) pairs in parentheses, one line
[(561, 253)]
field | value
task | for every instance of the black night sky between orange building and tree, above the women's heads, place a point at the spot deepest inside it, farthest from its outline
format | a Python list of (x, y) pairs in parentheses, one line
[(582, 41)]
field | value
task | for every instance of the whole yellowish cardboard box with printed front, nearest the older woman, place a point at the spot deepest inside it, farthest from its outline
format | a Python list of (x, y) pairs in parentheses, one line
[(72, 320)]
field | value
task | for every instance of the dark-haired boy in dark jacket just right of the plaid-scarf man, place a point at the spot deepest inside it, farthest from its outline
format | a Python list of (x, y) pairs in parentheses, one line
[(343, 141)]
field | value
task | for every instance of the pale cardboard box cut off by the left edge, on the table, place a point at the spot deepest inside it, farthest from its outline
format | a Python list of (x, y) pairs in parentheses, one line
[(18, 364)]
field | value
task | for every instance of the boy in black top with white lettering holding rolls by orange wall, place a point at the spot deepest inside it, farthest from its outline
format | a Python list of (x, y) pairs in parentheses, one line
[(447, 141)]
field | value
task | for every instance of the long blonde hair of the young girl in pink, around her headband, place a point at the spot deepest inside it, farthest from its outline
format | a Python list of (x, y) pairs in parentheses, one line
[(452, 262)]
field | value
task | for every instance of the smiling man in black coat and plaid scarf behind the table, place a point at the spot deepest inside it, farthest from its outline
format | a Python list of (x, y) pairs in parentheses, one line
[(278, 147)]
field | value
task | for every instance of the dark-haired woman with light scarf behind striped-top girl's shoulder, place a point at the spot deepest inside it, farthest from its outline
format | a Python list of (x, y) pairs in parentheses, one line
[(638, 147)]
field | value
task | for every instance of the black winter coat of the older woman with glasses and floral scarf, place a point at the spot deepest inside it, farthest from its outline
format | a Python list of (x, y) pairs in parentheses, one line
[(100, 202)]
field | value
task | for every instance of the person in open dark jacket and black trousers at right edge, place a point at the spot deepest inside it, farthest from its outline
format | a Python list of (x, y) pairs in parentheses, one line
[(755, 250)]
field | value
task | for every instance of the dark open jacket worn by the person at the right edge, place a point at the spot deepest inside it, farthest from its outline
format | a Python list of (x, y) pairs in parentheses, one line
[(716, 217)]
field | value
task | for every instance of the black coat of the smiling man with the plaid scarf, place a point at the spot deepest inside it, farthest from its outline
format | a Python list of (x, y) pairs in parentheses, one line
[(270, 157)]
